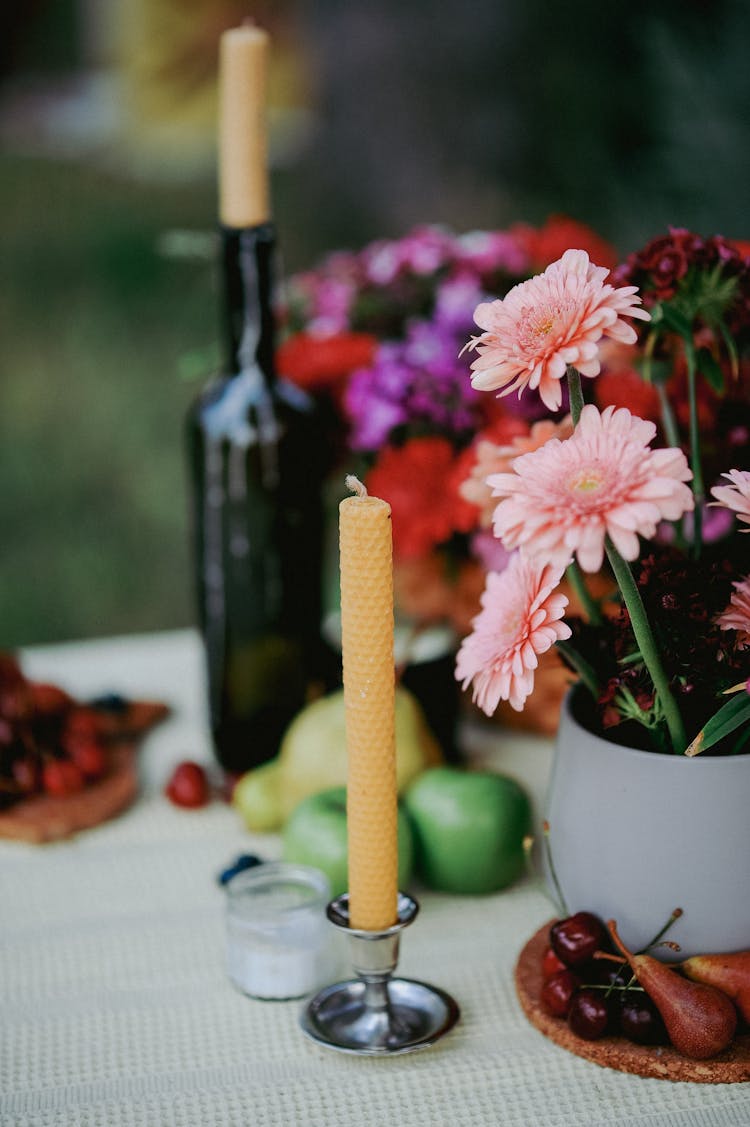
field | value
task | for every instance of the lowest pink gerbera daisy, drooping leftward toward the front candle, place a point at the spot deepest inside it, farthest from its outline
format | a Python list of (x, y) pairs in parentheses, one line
[(519, 619)]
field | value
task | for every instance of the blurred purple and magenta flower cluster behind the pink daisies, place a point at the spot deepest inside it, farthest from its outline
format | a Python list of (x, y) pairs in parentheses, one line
[(417, 298)]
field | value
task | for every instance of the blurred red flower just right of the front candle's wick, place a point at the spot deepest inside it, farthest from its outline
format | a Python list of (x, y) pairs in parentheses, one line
[(420, 482)]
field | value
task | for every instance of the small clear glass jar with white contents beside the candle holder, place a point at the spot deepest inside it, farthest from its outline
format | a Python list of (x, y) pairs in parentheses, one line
[(280, 944)]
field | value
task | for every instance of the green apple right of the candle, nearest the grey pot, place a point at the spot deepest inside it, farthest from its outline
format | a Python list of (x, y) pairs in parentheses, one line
[(469, 829)]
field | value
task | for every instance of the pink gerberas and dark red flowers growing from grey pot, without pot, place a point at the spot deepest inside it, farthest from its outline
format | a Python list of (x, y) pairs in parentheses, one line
[(666, 658)]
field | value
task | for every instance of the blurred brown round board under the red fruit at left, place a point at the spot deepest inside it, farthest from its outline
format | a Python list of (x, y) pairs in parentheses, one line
[(47, 819)]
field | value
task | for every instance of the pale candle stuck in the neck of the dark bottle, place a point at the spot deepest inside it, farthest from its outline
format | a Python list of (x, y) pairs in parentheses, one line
[(243, 141)]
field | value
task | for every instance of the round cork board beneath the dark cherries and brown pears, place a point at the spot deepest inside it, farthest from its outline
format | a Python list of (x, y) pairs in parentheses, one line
[(660, 1062)]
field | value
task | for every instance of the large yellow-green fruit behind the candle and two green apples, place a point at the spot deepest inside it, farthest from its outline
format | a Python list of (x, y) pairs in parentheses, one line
[(313, 753)]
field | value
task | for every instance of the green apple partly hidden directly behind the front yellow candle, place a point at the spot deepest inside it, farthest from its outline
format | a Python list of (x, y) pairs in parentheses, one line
[(316, 835)]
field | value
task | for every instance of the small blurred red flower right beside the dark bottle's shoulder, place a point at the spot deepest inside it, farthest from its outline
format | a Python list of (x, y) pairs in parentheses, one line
[(315, 362)]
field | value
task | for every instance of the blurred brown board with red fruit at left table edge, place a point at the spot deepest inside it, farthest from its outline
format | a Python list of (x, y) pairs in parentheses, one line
[(66, 766)]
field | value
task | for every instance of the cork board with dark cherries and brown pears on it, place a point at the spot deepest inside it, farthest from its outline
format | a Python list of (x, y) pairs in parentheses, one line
[(638, 1013)]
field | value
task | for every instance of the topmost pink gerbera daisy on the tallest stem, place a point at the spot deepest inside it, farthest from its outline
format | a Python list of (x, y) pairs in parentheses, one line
[(548, 323)]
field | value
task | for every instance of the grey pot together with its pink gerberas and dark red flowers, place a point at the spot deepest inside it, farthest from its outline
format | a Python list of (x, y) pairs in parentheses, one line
[(647, 809)]
